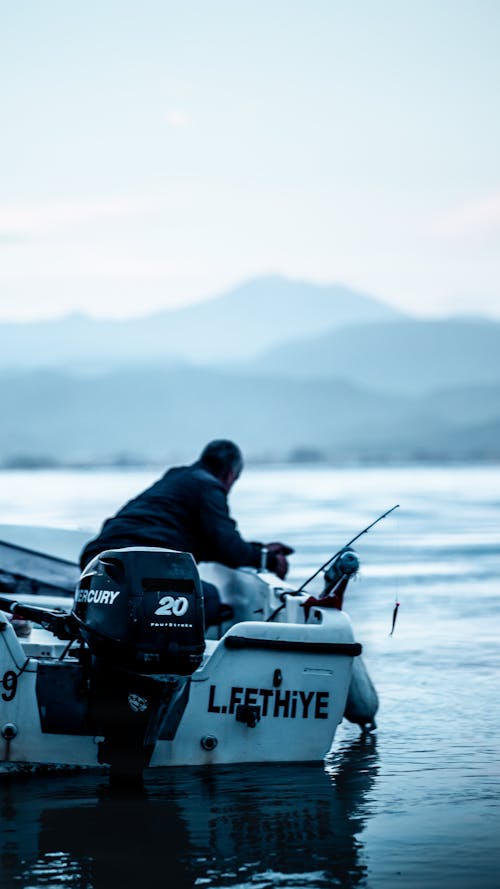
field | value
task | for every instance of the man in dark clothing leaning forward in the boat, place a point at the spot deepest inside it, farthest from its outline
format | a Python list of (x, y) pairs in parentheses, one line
[(187, 510)]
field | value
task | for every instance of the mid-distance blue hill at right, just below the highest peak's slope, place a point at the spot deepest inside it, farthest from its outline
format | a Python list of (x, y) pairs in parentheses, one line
[(400, 356)]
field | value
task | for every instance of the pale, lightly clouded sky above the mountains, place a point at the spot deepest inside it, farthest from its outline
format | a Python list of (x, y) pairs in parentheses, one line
[(155, 153)]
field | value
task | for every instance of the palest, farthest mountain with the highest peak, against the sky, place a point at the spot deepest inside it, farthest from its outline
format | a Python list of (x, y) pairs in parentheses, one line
[(238, 325)]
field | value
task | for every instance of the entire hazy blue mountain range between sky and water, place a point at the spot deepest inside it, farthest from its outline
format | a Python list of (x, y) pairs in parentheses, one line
[(285, 368)]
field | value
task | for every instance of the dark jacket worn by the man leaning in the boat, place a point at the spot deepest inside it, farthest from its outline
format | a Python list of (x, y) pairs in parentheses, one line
[(185, 510)]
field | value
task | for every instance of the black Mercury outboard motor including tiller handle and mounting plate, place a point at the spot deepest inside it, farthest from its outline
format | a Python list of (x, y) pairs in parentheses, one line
[(139, 618)]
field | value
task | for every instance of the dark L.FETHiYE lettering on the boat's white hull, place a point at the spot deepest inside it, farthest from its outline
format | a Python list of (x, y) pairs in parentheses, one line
[(274, 702)]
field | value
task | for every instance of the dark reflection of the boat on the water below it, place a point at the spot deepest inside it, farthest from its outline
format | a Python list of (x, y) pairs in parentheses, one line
[(259, 825)]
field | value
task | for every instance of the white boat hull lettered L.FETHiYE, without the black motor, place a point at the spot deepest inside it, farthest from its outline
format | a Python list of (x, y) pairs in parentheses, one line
[(264, 693)]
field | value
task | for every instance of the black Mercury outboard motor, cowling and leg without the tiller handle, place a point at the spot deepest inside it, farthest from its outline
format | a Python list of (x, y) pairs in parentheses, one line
[(140, 612)]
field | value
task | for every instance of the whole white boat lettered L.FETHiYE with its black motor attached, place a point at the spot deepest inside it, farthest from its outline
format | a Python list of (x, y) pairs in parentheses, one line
[(122, 675)]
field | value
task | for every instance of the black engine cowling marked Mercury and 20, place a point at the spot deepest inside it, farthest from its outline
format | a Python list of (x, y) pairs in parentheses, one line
[(141, 608)]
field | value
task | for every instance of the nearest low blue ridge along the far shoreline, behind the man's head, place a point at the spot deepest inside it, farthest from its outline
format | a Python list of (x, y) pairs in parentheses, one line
[(165, 416)]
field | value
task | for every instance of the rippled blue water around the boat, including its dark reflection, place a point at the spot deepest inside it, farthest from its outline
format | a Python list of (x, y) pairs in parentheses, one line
[(414, 805)]
